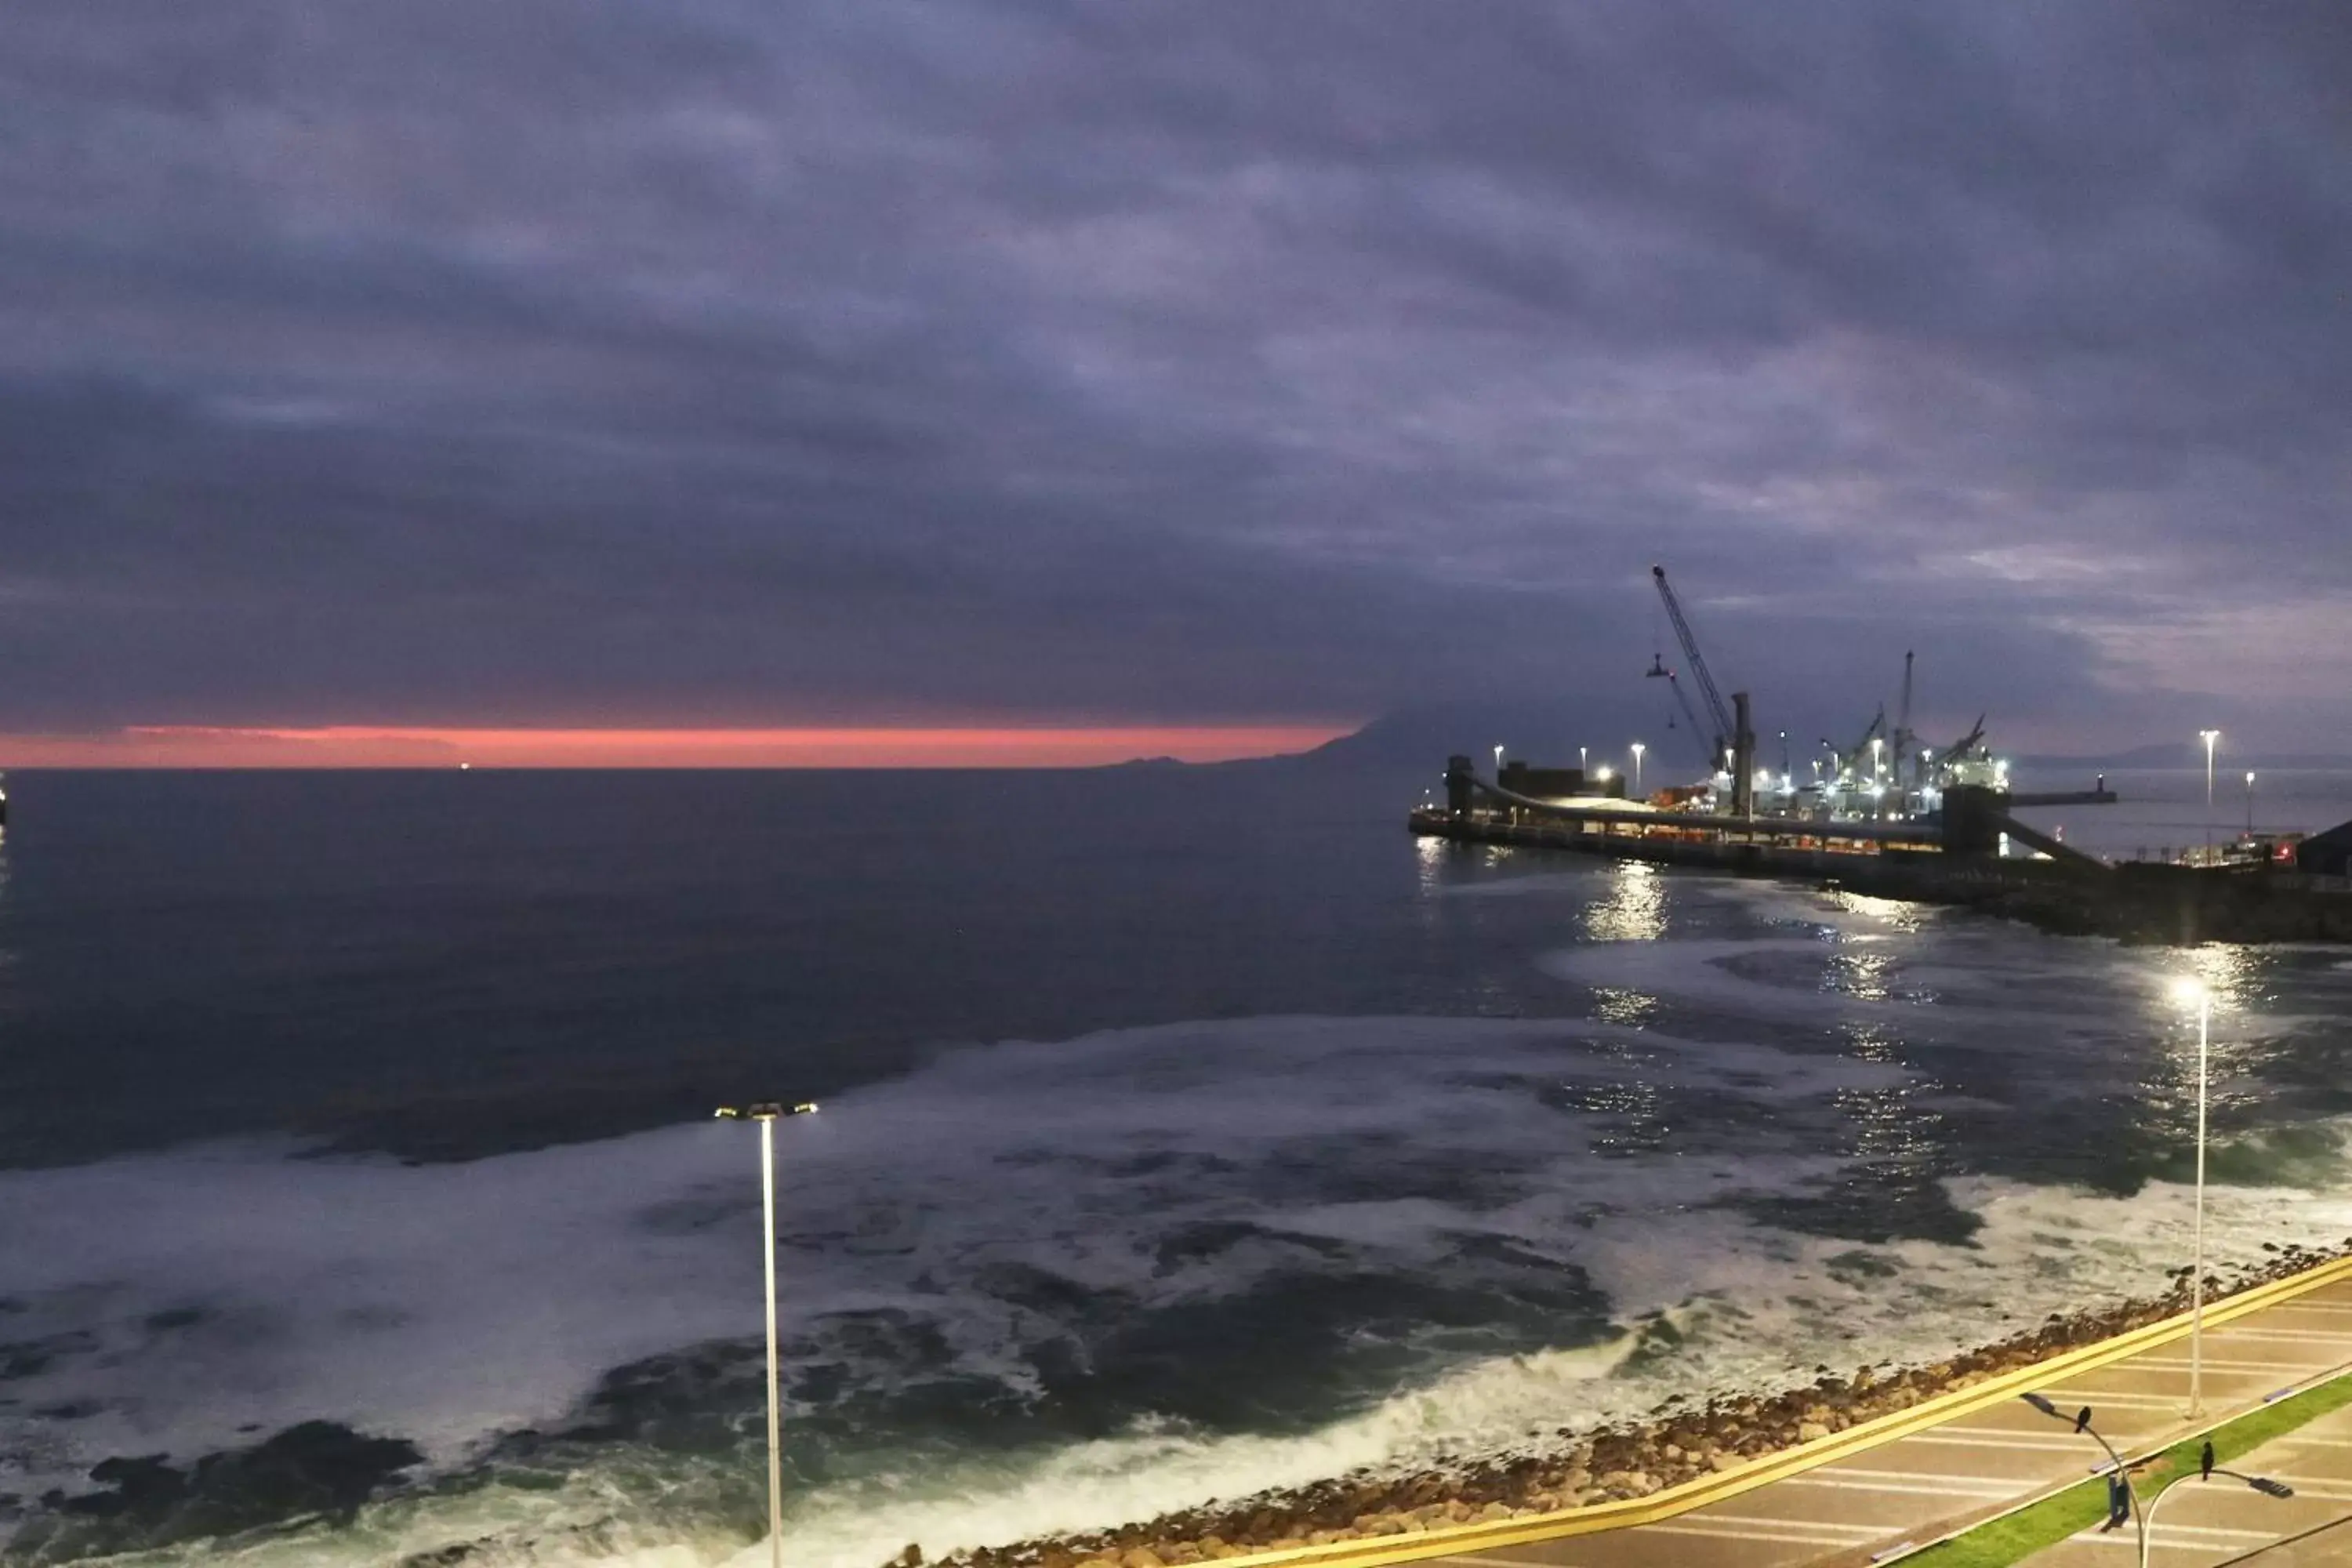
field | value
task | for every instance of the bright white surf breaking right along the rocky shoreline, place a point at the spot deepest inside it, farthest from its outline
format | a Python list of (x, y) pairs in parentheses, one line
[(1751, 1306)]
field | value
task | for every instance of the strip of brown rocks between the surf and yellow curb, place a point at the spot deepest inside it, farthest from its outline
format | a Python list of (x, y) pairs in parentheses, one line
[(1678, 1442)]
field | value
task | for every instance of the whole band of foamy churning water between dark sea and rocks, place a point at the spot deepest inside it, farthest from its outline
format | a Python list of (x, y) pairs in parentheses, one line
[(1060, 1285)]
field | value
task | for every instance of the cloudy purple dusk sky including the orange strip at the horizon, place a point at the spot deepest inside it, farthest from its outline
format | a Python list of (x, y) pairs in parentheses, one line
[(1187, 380)]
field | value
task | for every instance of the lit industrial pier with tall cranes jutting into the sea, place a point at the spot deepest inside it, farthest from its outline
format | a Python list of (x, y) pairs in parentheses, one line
[(1883, 815)]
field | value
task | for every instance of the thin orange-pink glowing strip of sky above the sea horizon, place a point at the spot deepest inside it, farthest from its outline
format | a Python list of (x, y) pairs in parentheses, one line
[(370, 746)]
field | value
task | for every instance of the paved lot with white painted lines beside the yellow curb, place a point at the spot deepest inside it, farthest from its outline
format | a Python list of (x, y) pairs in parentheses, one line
[(1916, 1489)]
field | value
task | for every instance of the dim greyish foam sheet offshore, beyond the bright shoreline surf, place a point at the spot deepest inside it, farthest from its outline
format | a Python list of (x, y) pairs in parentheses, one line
[(446, 1304)]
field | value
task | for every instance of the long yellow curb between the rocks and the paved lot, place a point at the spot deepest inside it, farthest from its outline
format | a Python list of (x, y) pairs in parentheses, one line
[(1876, 1433)]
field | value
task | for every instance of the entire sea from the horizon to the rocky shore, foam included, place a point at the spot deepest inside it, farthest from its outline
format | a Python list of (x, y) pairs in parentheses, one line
[(1184, 1134)]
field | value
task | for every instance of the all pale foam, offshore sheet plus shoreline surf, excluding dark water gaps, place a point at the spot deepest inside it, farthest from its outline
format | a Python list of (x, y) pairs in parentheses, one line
[(448, 1304)]
